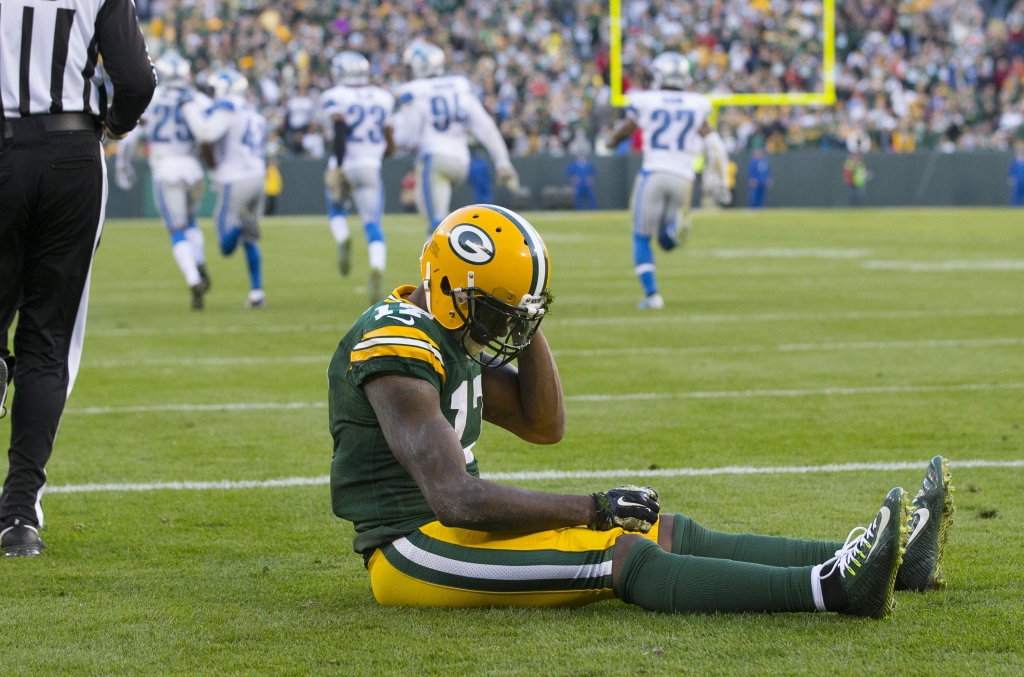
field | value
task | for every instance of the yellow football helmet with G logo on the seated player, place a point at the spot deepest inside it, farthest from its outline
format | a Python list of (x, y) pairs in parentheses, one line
[(486, 269)]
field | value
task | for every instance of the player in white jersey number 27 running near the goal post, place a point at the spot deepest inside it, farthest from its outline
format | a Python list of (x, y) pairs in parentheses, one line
[(671, 121)]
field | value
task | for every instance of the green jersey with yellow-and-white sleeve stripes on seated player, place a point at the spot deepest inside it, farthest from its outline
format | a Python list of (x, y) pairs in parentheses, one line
[(369, 487)]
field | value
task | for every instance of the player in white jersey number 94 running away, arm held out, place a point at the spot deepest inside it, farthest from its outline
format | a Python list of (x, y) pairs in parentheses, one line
[(436, 113)]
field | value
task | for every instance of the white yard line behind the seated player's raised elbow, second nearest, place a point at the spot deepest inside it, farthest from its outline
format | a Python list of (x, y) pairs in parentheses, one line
[(699, 395)]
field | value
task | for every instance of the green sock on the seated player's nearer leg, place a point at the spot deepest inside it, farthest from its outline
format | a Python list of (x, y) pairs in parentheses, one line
[(662, 581)]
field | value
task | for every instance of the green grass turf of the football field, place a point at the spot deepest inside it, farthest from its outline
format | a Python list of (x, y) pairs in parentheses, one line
[(264, 581)]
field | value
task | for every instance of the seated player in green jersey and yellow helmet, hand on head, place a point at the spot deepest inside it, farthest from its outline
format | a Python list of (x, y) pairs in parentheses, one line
[(411, 386)]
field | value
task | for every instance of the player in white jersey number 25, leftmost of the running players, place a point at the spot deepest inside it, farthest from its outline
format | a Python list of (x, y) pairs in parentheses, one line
[(178, 177)]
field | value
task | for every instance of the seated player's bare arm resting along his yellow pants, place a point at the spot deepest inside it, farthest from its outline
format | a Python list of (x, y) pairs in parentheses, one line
[(426, 445)]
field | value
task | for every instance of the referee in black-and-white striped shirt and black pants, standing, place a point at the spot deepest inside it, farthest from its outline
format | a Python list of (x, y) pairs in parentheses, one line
[(53, 196)]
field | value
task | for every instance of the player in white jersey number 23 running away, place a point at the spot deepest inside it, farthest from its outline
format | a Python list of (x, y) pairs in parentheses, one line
[(361, 116)]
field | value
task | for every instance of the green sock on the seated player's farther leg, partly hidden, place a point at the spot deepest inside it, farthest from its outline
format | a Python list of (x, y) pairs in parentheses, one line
[(690, 538)]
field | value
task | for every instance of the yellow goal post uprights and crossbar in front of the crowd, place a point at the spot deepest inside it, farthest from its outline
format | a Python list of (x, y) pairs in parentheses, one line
[(825, 98)]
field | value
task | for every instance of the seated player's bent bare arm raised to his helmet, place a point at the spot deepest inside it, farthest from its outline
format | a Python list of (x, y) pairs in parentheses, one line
[(528, 402)]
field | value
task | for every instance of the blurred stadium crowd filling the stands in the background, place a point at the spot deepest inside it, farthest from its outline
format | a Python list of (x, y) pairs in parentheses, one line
[(910, 74)]
